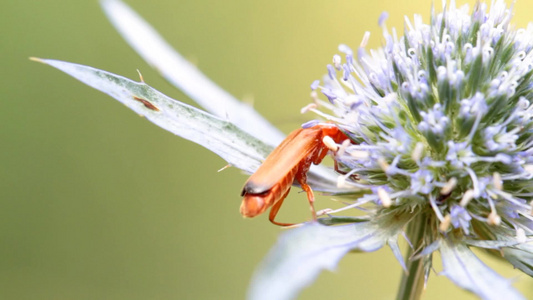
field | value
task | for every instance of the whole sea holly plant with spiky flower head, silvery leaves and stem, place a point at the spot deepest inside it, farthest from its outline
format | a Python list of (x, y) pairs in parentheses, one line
[(440, 122)]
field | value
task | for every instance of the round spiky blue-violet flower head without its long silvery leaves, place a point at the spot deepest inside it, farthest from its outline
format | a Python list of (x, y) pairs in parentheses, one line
[(444, 118)]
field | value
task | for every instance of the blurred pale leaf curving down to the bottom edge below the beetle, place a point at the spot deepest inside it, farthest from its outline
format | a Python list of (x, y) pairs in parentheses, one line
[(302, 253)]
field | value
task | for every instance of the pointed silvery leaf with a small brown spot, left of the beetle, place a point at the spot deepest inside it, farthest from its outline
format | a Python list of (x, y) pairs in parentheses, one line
[(236, 147)]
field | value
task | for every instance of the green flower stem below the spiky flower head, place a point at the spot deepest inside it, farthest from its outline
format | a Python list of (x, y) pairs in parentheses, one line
[(412, 283)]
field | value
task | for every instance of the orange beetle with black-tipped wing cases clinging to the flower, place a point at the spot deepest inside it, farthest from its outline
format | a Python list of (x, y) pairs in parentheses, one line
[(291, 160)]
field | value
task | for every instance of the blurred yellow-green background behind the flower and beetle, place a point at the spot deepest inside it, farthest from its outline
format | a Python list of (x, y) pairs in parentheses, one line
[(98, 203)]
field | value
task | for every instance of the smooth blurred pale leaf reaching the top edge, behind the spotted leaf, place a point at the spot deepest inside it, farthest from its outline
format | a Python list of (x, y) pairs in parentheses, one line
[(184, 75)]
